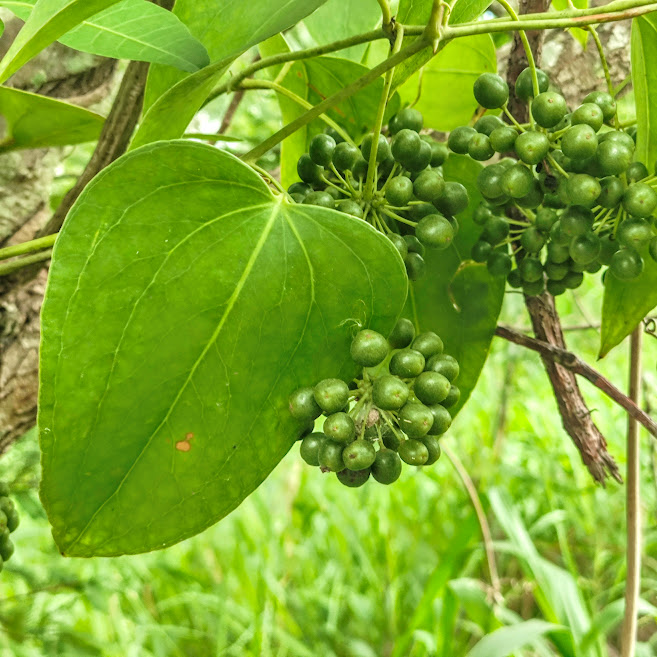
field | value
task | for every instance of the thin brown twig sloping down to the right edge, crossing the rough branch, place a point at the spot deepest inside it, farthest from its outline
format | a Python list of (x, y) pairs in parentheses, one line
[(571, 362)]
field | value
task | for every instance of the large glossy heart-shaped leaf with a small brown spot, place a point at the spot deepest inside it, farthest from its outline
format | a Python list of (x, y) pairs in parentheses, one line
[(218, 300)]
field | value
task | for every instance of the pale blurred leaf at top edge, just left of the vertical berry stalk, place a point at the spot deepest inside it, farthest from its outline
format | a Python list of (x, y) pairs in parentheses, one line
[(341, 19)]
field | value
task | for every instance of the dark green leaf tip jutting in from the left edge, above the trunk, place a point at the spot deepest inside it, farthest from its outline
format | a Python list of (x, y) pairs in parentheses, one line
[(35, 121)]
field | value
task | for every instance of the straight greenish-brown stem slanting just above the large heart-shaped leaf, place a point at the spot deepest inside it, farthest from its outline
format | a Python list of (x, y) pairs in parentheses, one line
[(336, 98)]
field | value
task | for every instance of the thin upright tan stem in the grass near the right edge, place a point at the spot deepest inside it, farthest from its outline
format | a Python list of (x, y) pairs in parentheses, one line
[(633, 506)]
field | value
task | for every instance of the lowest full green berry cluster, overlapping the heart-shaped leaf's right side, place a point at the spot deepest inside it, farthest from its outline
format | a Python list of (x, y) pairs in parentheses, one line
[(395, 411)]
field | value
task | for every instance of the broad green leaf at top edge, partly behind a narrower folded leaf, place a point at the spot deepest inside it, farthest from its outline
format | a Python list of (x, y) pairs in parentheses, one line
[(227, 28)]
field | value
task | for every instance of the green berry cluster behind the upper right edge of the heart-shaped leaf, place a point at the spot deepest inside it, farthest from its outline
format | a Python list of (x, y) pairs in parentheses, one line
[(410, 202)]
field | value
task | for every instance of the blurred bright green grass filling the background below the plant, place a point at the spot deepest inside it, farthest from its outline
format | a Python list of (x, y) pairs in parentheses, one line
[(305, 567)]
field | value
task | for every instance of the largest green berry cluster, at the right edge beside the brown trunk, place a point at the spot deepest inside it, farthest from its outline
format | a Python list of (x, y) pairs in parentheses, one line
[(579, 201)]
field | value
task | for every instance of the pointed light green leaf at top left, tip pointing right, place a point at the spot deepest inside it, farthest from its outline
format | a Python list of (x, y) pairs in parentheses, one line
[(131, 29)]
